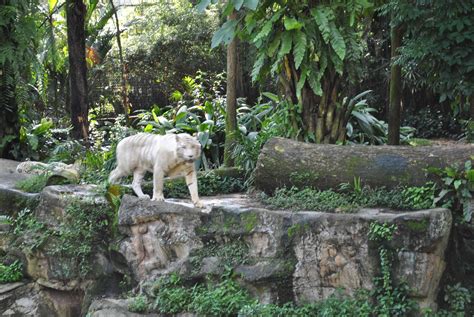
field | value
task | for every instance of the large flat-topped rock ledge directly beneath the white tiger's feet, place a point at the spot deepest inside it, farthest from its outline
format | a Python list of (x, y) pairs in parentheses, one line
[(314, 253)]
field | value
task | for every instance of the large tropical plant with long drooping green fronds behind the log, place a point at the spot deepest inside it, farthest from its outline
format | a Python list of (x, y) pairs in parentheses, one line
[(313, 47)]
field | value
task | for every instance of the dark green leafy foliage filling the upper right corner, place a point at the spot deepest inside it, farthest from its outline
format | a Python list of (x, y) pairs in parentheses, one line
[(438, 50)]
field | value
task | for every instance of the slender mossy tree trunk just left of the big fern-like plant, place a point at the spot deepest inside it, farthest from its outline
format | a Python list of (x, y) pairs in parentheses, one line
[(231, 105)]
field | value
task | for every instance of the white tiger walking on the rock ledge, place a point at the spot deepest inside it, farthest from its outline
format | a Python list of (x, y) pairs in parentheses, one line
[(171, 155)]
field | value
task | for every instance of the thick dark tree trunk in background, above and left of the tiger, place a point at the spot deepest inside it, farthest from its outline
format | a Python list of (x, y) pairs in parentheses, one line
[(76, 37)]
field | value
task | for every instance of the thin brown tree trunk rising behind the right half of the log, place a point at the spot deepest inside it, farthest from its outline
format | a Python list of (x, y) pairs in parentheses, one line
[(395, 103)]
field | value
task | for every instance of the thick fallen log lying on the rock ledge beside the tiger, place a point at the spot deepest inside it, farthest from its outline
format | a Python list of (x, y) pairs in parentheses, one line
[(285, 163)]
